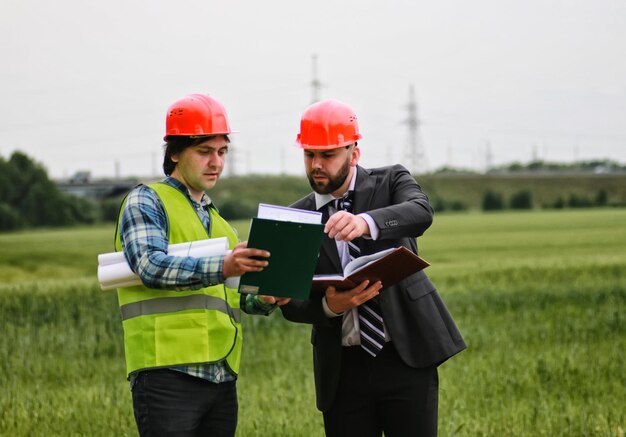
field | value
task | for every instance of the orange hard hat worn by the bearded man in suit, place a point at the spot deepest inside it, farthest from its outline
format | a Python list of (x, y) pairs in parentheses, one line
[(328, 124)]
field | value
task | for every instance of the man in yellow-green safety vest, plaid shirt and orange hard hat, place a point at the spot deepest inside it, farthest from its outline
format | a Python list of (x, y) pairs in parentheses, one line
[(182, 326)]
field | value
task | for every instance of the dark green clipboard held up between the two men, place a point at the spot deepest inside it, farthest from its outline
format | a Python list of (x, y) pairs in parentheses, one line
[(294, 250)]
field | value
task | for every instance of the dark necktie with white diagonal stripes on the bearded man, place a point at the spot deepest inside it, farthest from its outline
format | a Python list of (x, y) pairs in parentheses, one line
[(372, 330)]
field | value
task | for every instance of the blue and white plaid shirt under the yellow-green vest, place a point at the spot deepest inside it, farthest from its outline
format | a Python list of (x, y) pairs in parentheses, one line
[(143, 233)]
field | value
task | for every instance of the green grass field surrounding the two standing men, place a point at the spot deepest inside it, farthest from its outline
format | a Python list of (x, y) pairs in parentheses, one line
[(539, 297)]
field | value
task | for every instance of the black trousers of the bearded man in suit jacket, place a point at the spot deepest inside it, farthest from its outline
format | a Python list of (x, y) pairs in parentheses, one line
[(382, 394)]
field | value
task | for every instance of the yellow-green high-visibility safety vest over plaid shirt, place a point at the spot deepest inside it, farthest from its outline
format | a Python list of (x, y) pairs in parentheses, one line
[(165, 328)]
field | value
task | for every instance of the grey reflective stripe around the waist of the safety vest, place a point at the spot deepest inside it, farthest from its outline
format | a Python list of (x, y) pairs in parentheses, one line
[(162, 305)]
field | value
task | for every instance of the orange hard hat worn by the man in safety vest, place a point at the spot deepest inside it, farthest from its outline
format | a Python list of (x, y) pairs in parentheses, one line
[(196, 115)]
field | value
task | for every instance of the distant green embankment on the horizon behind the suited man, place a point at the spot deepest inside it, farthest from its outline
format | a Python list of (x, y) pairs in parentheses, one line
[(237, 197)]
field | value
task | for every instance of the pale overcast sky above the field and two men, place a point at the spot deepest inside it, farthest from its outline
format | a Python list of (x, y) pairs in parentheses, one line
[(85, 85)]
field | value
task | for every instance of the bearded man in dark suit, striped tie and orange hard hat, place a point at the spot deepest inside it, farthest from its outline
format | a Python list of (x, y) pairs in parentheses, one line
[(370, 377)]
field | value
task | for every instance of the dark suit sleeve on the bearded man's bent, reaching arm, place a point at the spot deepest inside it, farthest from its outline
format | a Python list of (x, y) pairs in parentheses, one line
[(404, 209)]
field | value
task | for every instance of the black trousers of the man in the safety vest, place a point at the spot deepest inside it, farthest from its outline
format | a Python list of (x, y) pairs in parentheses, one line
[(171, 403)]
